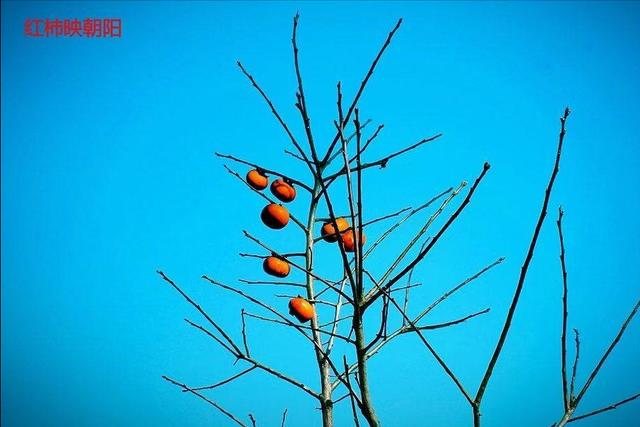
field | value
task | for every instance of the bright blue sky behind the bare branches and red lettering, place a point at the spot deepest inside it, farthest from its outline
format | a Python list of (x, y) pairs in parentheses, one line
[(108, 174)]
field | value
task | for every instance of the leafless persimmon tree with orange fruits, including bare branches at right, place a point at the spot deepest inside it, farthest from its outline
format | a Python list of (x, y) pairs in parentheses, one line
[(355, 291)]
